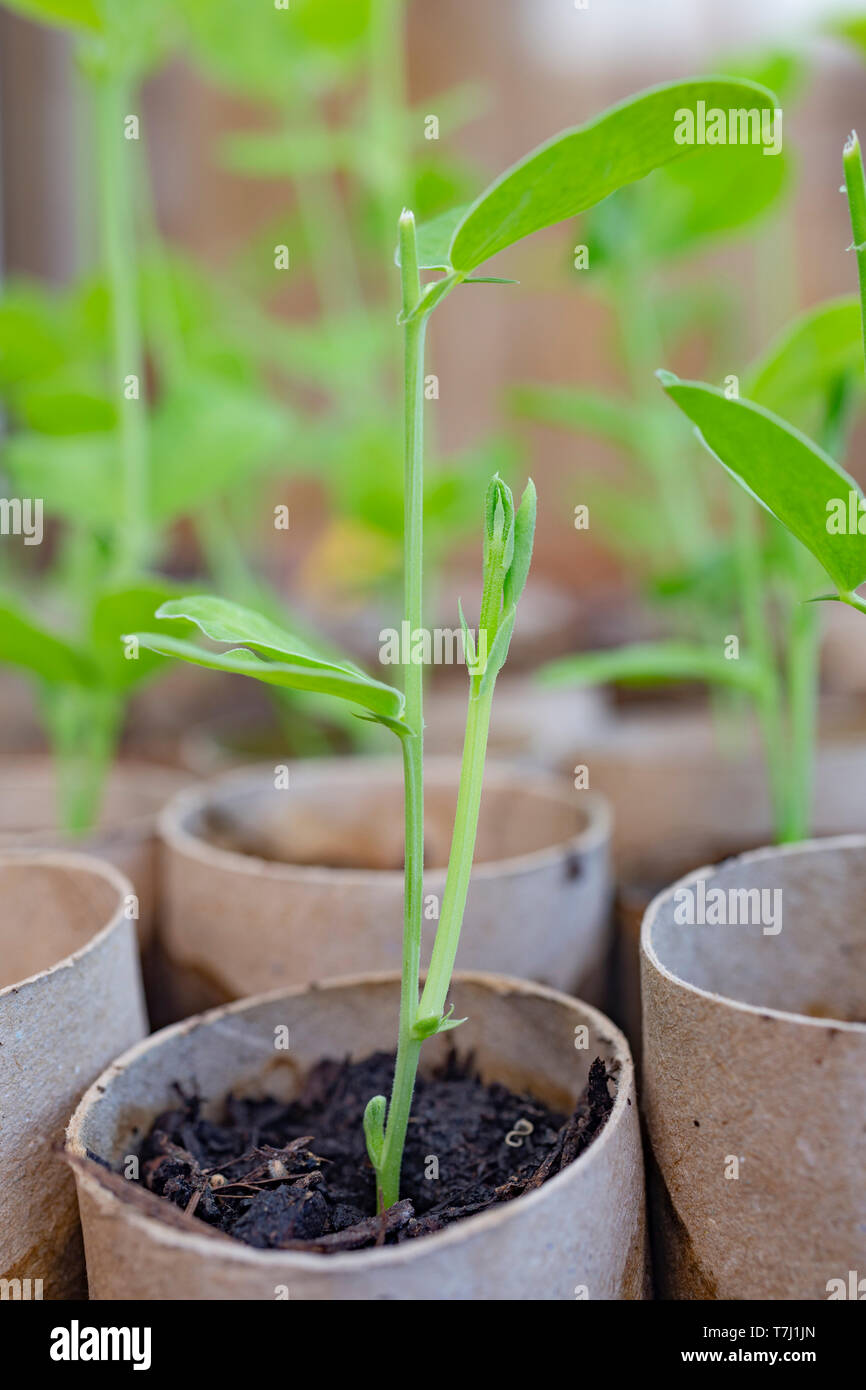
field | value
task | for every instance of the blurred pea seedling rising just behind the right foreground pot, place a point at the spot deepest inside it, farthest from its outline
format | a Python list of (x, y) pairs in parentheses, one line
[(810, 373)]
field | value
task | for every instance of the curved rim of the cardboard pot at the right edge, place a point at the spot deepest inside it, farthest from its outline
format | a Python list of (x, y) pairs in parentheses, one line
[(800, 849)]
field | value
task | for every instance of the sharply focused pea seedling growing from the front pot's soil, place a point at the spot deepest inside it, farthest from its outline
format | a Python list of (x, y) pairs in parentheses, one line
[(566, 176)]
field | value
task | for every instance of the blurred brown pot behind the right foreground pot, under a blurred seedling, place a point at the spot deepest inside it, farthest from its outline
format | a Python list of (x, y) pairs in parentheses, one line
[(680, 800)]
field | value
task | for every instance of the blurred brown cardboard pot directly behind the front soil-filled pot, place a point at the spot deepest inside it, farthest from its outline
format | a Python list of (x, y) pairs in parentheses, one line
[(269, 888)]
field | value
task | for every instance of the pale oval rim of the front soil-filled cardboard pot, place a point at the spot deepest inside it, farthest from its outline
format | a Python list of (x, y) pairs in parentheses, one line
[(389, 1257)]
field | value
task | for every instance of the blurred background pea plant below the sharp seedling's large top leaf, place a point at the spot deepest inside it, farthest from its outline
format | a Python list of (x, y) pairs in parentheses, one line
[(664, 518)]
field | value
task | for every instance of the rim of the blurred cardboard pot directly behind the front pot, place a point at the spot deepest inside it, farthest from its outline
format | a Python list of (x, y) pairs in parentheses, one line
[(173, 821)]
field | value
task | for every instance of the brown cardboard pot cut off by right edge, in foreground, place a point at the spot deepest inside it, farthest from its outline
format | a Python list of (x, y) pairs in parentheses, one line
[(755, 1064)]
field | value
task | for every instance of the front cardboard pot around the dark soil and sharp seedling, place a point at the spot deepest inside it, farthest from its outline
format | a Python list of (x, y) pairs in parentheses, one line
[(585, 1228)]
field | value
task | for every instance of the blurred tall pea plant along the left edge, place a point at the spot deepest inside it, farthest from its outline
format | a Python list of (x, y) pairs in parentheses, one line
[(99, 582)]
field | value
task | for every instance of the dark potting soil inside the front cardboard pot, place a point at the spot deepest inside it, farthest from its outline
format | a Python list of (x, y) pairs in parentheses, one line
[(297, 1177)]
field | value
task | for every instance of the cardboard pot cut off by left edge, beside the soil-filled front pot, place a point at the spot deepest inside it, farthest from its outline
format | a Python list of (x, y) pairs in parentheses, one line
[(70, 1001)]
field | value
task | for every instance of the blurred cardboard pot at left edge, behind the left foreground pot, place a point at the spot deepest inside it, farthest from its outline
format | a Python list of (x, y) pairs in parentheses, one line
[(136, 793)]
